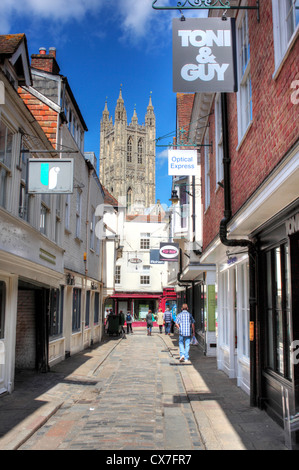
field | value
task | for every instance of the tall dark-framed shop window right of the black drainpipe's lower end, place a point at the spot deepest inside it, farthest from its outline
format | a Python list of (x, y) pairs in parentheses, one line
[(278, 317)]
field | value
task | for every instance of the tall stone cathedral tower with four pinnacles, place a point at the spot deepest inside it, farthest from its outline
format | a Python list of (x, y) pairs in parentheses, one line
[(127, 157)]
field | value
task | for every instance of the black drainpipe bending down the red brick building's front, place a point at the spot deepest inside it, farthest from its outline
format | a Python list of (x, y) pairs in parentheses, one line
[(252, 251)]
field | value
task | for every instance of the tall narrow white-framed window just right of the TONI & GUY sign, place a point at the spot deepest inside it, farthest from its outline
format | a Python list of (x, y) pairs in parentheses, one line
[(245, 92)]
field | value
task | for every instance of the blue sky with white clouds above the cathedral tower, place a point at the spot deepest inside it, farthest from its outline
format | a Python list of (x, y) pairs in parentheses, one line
[(101, 45)]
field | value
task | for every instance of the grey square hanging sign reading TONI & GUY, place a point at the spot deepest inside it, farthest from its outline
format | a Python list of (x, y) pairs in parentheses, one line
[(204, 55)]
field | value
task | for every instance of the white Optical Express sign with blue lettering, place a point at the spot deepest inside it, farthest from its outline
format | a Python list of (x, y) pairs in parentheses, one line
[(182, 162)]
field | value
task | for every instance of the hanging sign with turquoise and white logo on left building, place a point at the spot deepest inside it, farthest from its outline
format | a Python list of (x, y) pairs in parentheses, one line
[(52, 176)]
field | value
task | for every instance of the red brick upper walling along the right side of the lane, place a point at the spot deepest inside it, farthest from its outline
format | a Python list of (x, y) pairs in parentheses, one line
[(274, 128)]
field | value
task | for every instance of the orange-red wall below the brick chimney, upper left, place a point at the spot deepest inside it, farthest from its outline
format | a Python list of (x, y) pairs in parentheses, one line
[(46, 117)]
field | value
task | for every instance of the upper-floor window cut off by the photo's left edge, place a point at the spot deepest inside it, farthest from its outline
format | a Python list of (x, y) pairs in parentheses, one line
[(6, 139)]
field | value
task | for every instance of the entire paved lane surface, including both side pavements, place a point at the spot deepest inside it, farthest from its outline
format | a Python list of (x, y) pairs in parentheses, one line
[(133, 394)]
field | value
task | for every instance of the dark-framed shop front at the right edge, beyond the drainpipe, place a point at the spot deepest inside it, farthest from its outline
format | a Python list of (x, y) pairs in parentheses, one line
[(278, 305)]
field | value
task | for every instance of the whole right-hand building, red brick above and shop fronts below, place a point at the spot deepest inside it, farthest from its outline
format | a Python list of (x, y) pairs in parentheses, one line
[(249, 191)]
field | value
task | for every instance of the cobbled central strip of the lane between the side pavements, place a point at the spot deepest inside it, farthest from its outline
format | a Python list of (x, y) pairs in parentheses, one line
[(134, 400)]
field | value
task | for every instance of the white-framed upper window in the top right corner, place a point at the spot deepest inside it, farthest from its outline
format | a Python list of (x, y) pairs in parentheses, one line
[(285, 26)]
